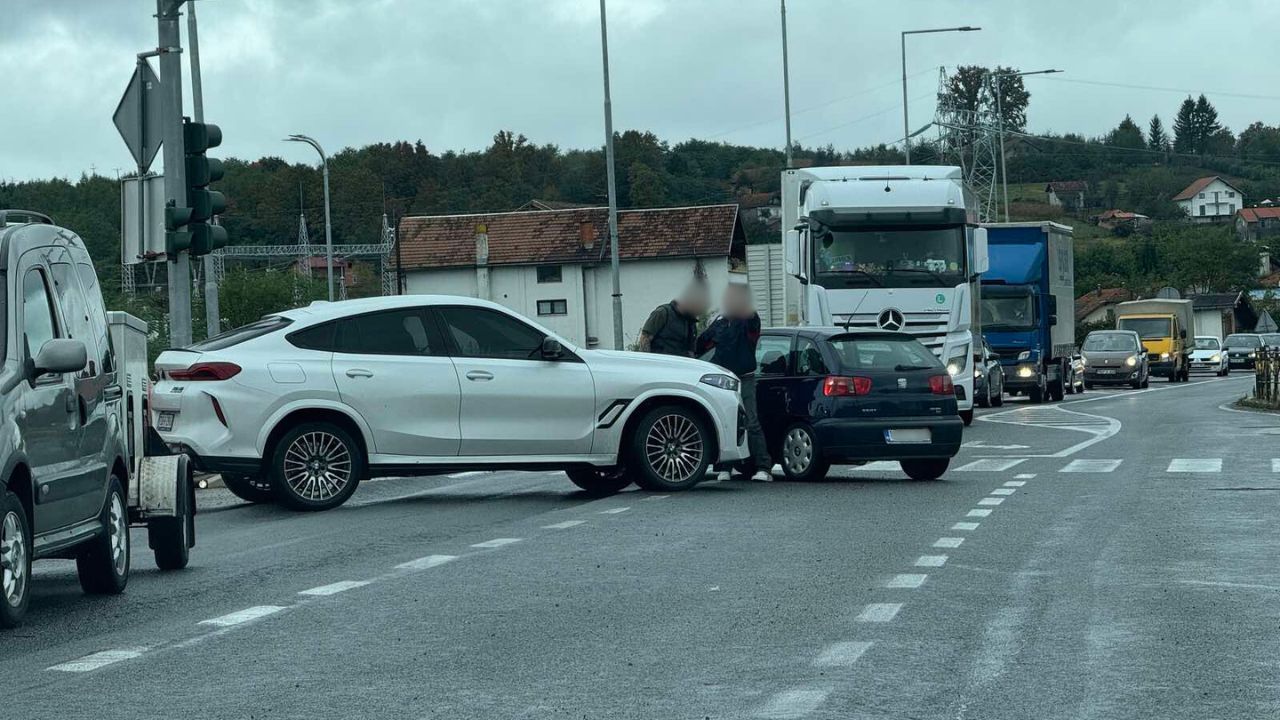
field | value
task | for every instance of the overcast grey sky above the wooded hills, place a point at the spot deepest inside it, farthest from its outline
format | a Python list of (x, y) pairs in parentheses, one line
[(454, 72)]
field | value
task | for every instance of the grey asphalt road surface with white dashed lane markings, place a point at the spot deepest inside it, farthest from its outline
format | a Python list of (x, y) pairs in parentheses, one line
[(1108, 558)]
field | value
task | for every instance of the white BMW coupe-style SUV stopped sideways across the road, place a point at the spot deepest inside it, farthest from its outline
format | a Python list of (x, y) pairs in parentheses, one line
[(305, 404)]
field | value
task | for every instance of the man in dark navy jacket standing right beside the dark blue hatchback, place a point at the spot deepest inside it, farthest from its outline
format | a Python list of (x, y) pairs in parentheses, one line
[(733, 339)]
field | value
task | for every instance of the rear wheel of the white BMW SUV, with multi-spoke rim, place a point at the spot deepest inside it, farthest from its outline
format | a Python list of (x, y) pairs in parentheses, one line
[(317, 467)]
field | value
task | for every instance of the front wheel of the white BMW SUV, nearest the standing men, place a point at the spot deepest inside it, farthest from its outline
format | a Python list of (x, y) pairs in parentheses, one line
[(670, 450)]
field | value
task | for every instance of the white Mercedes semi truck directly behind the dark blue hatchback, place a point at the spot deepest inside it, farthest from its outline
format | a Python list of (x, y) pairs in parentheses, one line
[(888, 248)]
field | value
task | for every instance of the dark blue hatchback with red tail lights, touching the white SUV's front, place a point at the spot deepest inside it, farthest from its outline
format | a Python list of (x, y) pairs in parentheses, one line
[(831, 397)]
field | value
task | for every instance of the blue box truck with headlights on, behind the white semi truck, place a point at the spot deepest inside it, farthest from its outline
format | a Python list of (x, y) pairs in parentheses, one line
[(1027, 308)]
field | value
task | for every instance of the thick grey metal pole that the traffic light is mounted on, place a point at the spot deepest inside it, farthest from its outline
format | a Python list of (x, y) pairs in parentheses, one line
[(175, 165)]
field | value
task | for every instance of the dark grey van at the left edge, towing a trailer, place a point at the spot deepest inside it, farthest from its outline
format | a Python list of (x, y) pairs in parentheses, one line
[(65, 452)]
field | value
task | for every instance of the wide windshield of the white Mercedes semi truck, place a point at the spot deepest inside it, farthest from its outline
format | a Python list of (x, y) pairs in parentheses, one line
[(889, 257)]
